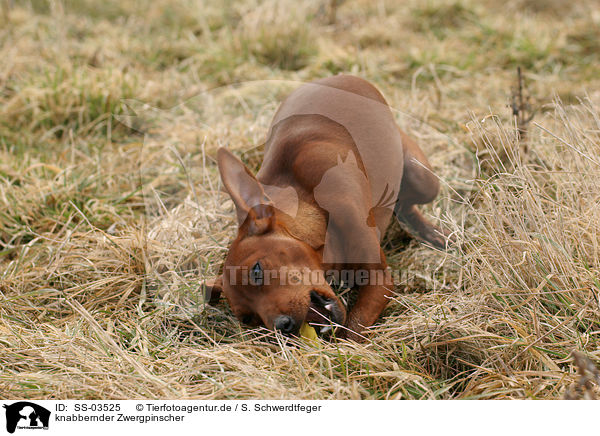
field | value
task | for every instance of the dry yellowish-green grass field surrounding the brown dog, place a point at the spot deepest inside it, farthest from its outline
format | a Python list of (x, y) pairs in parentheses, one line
[(111, 212)]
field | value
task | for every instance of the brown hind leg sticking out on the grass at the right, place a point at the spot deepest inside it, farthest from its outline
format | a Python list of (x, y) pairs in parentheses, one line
[(419, 186)]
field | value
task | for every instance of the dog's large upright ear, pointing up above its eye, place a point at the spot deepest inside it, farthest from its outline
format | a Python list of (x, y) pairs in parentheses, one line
[(246, 192)]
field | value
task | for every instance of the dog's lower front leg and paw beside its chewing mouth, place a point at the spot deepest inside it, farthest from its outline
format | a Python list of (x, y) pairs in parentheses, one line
[(372, 299)]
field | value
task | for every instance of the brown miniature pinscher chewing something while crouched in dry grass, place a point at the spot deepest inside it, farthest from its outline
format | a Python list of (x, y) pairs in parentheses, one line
[(335, 169)]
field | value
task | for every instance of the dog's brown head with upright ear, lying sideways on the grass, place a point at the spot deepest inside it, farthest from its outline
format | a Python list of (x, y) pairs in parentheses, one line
[(270, 277)]
